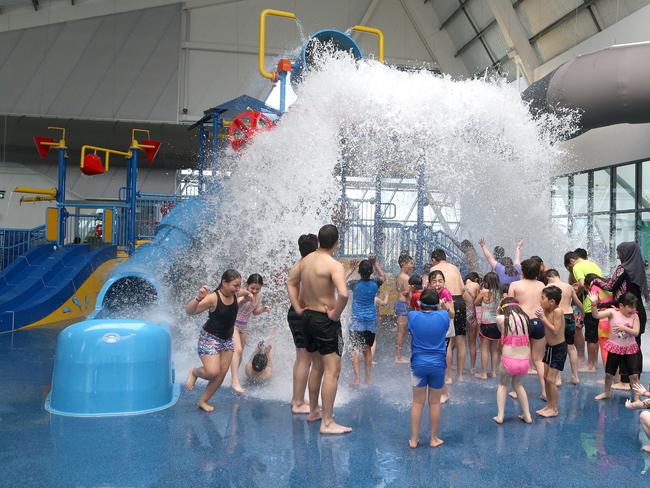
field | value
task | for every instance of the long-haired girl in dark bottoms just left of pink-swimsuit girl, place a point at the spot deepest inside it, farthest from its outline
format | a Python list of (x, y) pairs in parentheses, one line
[(488, 298)]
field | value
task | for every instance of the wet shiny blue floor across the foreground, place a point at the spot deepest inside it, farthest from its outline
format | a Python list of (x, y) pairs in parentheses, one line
[(249, 442)]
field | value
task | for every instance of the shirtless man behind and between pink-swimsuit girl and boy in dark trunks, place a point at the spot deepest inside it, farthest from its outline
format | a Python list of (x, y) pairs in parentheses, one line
[(528, 292)]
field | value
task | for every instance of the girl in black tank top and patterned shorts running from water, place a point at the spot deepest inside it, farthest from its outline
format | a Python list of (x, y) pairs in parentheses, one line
[(215, 342)]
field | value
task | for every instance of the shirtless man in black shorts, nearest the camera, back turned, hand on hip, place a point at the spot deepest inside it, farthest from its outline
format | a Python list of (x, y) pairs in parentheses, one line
[(318, 293)]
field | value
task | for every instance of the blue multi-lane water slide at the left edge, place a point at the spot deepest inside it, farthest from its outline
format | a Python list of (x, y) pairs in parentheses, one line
[(42, 280)]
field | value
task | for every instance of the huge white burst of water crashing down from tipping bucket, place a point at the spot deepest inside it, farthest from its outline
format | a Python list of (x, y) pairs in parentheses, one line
[(475, 140)]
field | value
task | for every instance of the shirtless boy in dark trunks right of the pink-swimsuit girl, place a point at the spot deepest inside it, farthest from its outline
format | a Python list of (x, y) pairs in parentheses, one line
[(552, 317)]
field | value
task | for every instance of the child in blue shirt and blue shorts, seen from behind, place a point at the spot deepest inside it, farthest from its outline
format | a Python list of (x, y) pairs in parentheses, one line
[(428, 329)]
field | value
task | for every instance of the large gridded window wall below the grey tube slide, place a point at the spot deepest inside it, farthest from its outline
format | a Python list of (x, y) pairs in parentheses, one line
[(601, 208)]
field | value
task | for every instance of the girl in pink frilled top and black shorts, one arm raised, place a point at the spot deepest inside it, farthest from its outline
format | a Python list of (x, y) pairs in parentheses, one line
[(622, 349)]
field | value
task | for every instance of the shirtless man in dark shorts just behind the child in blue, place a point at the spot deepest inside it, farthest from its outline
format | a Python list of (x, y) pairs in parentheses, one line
[(454, 283)]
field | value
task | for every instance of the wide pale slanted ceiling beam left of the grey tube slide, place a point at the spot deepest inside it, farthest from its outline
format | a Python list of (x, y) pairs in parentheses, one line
[(515, 36)]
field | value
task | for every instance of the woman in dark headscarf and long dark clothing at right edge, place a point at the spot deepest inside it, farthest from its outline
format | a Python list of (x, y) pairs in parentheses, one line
[(628, 277)]
